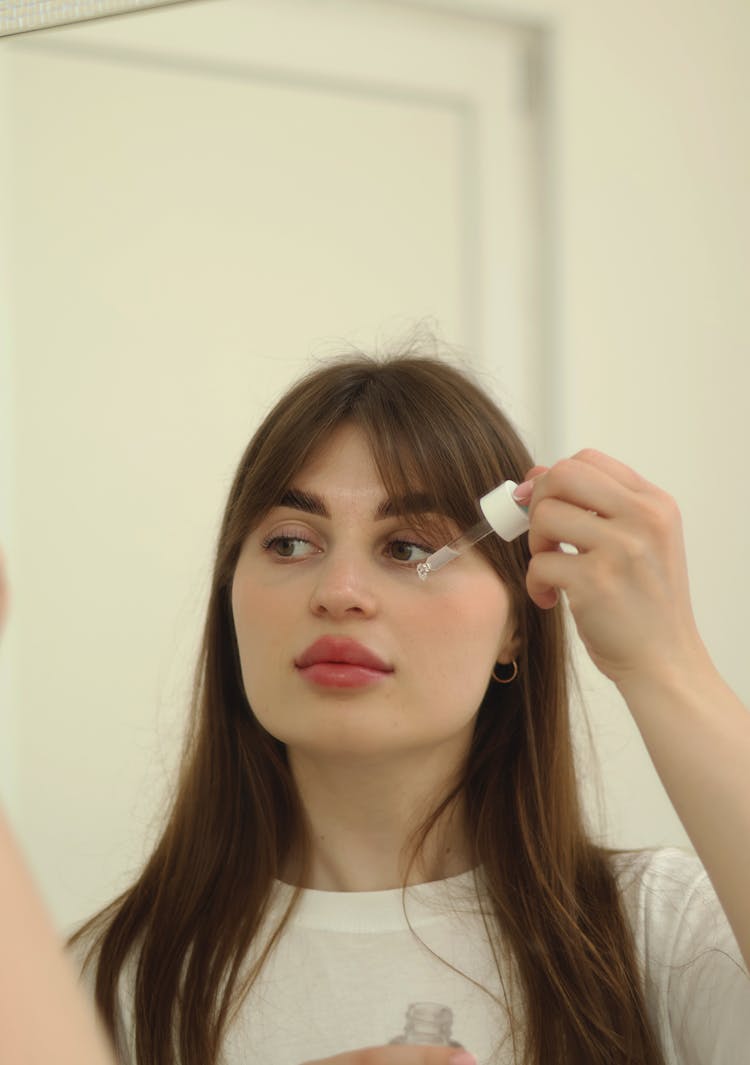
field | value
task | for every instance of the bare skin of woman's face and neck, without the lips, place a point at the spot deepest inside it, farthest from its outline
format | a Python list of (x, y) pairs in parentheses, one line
[(365, 760)]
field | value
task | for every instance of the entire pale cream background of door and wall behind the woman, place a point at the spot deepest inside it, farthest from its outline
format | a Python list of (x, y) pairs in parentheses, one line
[(560, 188)]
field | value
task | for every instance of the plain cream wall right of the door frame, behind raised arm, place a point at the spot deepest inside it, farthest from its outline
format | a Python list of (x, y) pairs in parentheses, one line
[(651, 189)]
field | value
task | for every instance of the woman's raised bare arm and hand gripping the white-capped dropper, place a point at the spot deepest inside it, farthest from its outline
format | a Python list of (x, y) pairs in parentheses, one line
[(628, 592)]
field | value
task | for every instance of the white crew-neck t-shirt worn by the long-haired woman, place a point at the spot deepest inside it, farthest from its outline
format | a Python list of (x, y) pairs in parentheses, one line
[(349, 972)]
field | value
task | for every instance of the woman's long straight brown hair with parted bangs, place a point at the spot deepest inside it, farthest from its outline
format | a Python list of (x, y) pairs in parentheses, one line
[(184, 929)]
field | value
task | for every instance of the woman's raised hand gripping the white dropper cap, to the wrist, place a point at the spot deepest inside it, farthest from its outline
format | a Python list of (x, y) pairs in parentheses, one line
[(627, 586)]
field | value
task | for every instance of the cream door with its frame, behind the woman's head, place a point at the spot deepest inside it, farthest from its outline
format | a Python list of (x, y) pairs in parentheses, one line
[(204, 200)]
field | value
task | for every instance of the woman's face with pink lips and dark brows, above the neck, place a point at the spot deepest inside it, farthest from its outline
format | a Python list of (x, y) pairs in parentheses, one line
[(345, 652)]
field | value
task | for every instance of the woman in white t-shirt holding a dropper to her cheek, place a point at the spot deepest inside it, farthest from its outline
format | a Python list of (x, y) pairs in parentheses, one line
[(365, 743)]
